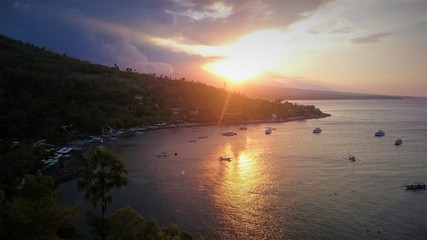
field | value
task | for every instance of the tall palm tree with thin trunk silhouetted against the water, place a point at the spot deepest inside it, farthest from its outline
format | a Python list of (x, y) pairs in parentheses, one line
[(105, 171)]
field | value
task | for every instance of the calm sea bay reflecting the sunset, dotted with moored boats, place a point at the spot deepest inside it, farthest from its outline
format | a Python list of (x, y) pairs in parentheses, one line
[(290, 184)]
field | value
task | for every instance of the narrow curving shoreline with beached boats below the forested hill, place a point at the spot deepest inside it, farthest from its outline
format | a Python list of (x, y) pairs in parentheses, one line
[(70, 168)]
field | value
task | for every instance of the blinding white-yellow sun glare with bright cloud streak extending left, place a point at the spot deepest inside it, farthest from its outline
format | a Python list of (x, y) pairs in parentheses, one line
[(246, 59)]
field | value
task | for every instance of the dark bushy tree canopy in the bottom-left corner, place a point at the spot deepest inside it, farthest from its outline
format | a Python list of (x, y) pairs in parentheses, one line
[(34, 212)]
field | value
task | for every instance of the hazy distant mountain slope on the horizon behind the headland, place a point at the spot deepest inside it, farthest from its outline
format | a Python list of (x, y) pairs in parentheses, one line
[(274, 92)]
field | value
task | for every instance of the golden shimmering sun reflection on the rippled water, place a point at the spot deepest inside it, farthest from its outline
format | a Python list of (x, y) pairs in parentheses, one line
[(239, 186)]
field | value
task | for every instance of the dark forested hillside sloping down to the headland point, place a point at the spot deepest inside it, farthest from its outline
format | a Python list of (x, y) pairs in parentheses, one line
[(45, 94)]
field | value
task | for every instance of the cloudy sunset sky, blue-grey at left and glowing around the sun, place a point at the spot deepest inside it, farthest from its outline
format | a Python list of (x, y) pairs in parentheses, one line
[(367, 46)]
